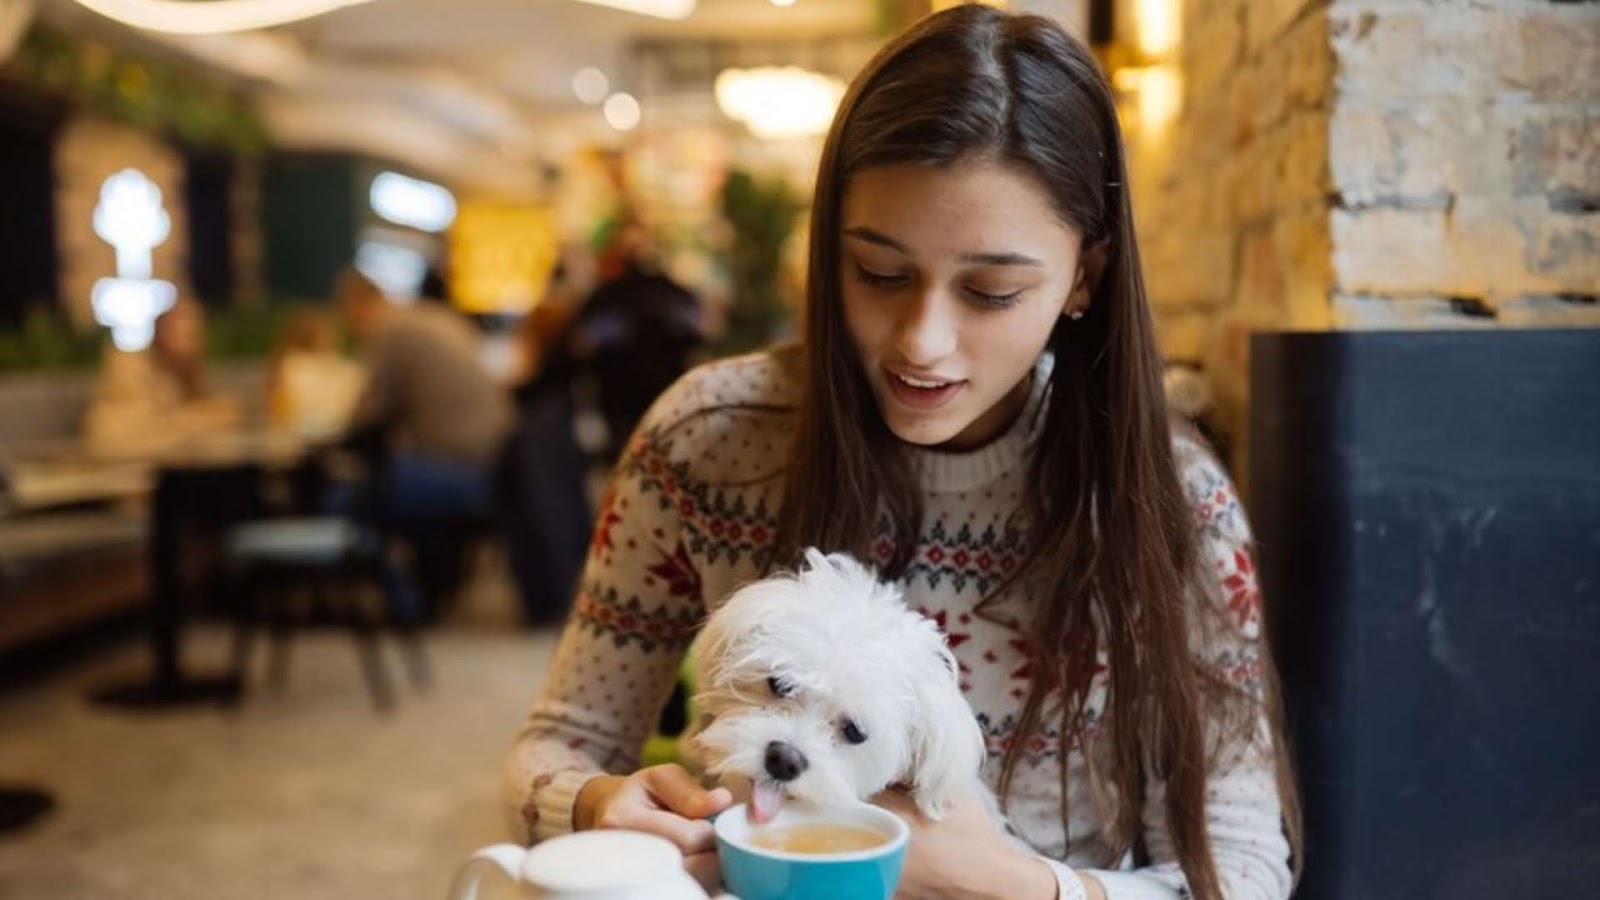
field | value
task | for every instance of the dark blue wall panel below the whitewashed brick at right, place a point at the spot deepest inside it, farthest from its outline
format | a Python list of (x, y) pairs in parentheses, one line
[(1428, 510)]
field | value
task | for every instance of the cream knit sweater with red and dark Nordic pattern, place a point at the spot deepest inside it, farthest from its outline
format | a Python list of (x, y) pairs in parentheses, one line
[(687, 520)]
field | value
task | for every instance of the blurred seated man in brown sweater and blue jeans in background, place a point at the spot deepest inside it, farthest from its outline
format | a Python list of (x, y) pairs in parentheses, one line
[(430, 419)]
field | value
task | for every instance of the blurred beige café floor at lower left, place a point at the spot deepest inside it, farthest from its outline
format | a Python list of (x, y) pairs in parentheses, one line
[(300, 795)]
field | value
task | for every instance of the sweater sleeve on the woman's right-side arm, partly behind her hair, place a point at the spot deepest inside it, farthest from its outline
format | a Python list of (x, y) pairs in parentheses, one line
[(1242, 808)]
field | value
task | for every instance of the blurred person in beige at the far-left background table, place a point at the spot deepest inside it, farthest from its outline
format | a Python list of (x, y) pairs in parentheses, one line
[(156, 400)]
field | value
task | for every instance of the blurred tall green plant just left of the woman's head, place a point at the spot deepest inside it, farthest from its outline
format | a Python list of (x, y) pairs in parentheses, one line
[(762, 215)]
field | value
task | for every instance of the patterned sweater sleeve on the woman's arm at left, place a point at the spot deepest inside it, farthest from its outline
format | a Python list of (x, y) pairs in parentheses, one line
[(638, 609)]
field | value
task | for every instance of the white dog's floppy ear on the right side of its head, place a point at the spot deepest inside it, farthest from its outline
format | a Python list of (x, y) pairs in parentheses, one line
[(948, 747)]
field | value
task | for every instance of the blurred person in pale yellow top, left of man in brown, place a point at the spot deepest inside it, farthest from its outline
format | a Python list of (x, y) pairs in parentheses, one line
[(311, 385)]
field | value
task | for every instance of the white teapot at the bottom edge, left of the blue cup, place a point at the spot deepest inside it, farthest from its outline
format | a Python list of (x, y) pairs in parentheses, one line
[(588, 866)]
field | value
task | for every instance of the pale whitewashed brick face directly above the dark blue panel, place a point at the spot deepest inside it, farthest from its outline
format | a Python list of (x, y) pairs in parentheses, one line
[(1465, 147)]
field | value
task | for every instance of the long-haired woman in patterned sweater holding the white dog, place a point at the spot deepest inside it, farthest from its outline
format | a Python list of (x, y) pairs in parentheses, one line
[(977, 408)]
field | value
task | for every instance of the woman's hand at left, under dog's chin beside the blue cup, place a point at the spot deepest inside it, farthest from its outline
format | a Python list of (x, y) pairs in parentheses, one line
[(662, 800)]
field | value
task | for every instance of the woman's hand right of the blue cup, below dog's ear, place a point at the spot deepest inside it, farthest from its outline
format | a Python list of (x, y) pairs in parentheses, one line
[(964, 856)]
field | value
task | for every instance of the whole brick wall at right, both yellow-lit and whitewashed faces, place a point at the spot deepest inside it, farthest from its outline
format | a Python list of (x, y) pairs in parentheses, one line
[(1372, 164)]
